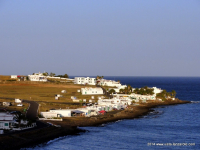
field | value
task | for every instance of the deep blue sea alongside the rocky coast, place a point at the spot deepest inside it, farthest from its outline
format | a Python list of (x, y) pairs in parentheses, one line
[(166, 127)]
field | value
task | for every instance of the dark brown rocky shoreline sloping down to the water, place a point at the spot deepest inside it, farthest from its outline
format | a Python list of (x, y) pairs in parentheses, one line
[(69, 126)]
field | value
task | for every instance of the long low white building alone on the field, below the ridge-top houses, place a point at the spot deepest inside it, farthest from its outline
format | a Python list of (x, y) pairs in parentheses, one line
[(91, 91)]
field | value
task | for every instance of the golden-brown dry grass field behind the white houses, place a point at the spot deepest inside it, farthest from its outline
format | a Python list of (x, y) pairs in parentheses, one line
[(44, 93)]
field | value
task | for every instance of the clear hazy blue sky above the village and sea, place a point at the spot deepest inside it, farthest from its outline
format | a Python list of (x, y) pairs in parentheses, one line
[(105, 37)]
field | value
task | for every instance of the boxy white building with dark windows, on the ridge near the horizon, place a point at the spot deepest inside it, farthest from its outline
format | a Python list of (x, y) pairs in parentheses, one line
[(83, 80)]
